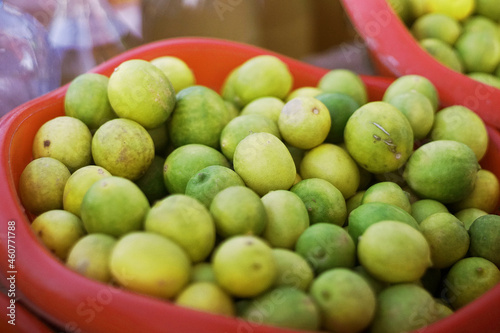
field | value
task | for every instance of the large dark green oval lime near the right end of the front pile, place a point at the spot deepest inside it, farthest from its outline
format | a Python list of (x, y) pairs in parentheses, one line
[(442, 170)]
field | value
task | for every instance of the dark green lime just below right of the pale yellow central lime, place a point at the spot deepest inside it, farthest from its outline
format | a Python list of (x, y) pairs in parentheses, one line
[(324, 202)]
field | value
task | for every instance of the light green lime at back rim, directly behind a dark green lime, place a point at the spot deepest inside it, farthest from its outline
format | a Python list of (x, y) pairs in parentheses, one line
[(346, 82)]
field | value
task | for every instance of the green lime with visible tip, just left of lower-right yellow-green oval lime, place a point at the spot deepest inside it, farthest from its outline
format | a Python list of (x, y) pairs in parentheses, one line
[(326, 246)]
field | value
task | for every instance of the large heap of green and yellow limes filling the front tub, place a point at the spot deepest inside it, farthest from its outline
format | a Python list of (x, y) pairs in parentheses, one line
[(309, 208)]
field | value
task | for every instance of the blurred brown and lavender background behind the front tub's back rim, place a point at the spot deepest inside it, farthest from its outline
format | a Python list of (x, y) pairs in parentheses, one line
[(84, 33)]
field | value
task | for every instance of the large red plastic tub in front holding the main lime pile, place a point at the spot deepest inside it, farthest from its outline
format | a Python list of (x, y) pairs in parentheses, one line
[(77, 304)]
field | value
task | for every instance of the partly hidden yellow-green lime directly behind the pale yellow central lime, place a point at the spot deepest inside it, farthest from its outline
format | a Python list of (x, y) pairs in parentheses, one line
[(242, 126)]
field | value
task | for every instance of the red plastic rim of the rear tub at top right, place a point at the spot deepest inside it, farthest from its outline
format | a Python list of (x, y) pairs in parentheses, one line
[(397, 53)]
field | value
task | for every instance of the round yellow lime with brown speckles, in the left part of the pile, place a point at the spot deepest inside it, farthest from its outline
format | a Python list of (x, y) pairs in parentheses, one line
[(124, 148)]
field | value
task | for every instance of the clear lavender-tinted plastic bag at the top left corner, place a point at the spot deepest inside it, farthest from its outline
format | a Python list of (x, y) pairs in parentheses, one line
[(29, 67)]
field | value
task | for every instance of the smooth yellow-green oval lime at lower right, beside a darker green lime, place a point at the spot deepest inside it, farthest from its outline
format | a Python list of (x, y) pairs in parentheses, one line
[(404, 256)]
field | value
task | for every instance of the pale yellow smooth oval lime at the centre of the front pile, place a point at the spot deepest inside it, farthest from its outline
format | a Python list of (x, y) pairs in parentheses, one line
[(264, 163)]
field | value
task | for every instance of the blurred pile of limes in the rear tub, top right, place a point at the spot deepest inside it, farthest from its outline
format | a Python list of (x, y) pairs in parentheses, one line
[(463, 35)]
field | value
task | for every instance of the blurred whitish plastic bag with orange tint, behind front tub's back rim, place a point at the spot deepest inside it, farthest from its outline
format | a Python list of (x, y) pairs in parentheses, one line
[(86, 33)]
